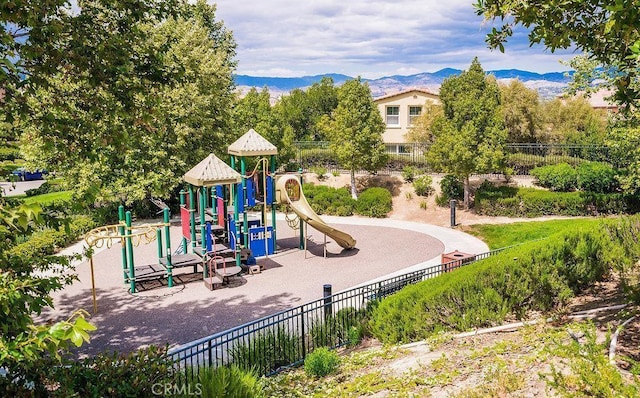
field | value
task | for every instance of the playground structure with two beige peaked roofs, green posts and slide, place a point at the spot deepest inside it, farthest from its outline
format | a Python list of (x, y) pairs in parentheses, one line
[(218, 232)]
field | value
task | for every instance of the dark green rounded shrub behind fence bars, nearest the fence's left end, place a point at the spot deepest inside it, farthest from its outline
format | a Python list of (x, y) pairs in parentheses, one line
[(267, 352)]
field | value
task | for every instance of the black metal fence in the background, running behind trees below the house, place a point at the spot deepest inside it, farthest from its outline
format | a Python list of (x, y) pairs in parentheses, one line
[(521, 157)]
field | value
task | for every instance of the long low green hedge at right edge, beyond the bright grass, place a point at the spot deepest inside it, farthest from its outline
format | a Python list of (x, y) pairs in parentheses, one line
[(531, 202)]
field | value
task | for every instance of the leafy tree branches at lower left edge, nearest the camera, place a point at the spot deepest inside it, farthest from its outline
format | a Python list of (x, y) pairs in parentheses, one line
[(26, 282)]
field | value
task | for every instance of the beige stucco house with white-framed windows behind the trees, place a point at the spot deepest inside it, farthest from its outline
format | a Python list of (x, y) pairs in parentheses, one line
[(398, 111)]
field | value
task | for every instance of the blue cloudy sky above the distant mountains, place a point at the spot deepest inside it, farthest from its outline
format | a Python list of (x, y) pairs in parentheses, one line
[(370, 38)]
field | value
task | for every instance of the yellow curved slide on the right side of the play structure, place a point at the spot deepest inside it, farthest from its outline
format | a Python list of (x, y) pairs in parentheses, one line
[(300, 206)]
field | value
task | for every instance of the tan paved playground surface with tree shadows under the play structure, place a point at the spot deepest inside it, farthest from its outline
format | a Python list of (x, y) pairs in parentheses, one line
[(162, 315)]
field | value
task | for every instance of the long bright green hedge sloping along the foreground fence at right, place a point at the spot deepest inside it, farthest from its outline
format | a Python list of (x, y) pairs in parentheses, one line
[(540, 276)]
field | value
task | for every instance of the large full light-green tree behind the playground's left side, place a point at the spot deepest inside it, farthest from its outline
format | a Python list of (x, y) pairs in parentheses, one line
[(129, 145)]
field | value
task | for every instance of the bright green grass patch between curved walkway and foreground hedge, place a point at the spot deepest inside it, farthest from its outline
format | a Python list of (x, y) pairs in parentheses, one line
[(503, 235)]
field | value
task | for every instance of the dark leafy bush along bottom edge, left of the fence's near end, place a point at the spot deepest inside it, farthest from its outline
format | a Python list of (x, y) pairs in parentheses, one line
[(115, 375)]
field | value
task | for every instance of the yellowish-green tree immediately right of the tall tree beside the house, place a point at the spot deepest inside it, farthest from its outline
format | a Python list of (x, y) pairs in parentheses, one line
[(521, 110)]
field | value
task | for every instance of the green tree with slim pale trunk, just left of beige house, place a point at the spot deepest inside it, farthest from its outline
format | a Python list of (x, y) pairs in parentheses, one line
[(355, 130)]
